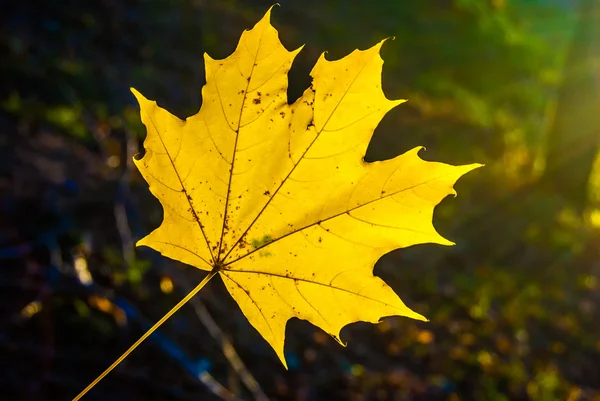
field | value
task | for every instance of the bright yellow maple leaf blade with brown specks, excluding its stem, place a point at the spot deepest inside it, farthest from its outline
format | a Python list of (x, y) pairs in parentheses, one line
[(277, 200)]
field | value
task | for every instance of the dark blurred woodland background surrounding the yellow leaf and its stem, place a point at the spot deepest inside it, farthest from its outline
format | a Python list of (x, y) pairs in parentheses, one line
[(514, 307)]
